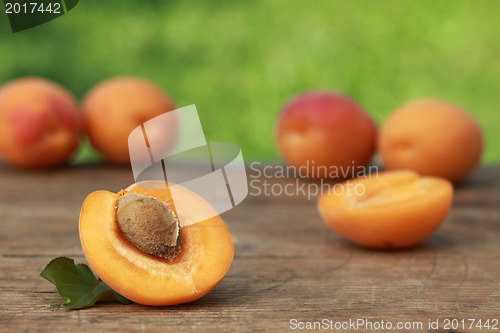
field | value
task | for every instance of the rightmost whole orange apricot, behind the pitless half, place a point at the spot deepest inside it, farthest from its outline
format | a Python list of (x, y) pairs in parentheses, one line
[(432, 137)]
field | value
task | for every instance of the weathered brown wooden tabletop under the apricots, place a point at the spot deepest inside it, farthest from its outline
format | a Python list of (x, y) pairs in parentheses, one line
[(288, 265)]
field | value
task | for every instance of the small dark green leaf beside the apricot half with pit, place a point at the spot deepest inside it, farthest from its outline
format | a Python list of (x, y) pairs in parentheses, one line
[(77, 285)]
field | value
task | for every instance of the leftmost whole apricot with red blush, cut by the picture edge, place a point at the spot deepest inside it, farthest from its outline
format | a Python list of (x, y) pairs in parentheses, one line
[(40, 124)]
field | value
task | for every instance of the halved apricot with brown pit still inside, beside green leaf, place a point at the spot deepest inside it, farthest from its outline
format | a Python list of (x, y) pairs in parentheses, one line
[(134, 242)]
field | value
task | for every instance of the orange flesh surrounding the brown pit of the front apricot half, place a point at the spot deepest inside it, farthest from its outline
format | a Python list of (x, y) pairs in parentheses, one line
[(205, 256)]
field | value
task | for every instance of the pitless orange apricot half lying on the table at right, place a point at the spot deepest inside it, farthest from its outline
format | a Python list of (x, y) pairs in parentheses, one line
[(391, 210)]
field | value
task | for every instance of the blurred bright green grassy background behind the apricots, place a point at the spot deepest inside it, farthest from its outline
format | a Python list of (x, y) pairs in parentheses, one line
[(241, 61)]
